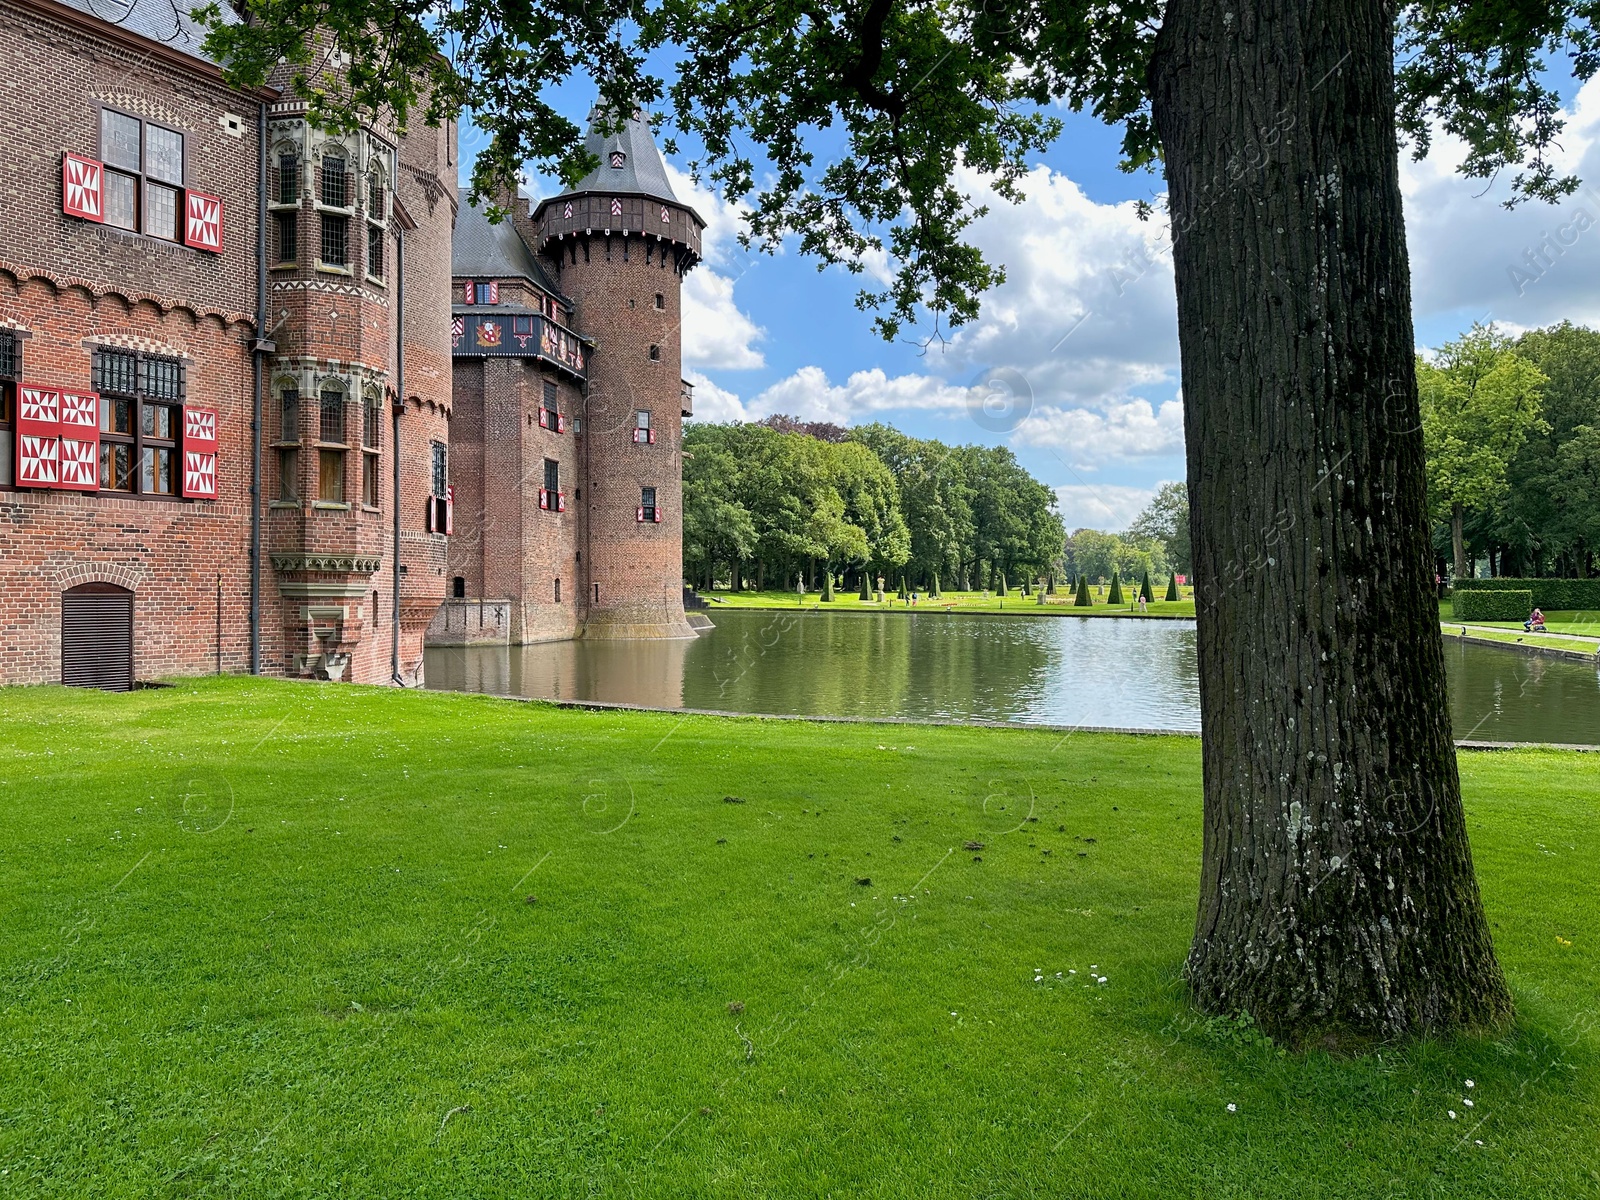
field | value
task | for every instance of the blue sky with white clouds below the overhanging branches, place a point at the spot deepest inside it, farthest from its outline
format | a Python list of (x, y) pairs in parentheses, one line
[(1086, 327)]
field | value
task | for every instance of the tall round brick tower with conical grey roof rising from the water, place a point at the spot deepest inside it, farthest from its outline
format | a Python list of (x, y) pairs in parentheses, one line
[(618, 246)]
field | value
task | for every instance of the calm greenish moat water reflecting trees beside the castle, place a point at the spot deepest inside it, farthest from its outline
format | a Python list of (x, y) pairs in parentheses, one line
[(1052, 671)]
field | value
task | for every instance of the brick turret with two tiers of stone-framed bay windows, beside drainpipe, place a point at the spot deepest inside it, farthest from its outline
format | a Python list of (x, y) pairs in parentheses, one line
[(354, 218)]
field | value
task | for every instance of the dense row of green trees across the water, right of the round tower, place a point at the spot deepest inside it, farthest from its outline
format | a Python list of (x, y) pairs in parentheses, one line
[(774, 503)]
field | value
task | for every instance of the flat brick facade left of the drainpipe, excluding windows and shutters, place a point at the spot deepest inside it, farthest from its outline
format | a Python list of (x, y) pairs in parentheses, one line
[(70, 282)]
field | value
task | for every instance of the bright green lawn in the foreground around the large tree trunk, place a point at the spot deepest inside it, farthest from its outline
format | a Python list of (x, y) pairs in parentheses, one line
[(276, 940)]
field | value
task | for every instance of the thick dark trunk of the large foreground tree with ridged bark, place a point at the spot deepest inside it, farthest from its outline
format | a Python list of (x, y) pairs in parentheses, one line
[(1338, 900)]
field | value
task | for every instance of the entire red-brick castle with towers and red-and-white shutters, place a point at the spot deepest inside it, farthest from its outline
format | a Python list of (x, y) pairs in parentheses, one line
[(281, 401)]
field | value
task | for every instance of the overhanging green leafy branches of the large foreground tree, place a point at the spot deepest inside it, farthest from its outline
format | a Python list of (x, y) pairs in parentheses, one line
[(902, 94)]
